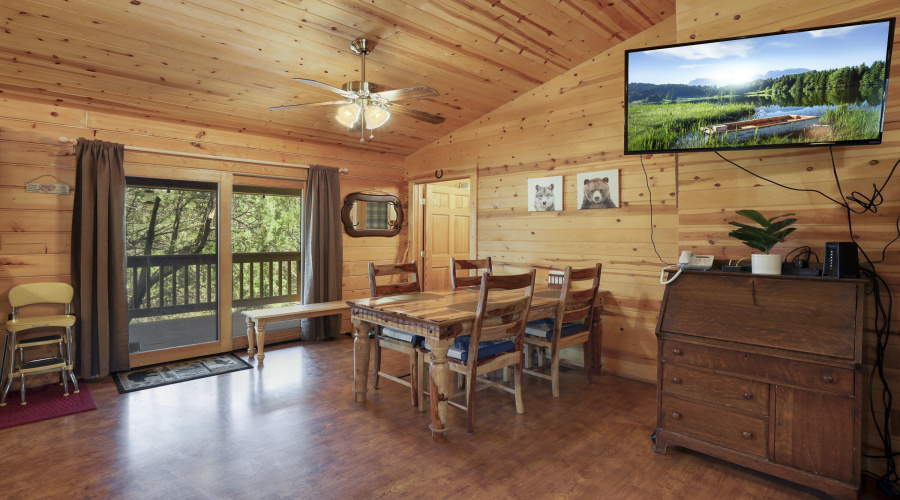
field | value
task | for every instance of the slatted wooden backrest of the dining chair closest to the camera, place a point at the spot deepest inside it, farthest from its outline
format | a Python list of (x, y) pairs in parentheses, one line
[(505, 316)]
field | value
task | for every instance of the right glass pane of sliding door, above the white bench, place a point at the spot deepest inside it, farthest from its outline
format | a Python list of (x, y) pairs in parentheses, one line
[(265, 247)]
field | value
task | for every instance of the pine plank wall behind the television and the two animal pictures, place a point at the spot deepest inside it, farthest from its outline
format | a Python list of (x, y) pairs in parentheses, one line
[(574, 124)]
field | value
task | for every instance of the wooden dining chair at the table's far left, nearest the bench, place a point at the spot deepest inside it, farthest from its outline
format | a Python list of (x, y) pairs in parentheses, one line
[(391, 338)]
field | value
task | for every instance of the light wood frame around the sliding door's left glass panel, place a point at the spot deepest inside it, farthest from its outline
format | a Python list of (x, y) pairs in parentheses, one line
[(225, 183)]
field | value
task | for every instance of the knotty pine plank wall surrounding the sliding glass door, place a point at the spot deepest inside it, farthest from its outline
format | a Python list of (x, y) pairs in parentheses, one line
[(35, 228)]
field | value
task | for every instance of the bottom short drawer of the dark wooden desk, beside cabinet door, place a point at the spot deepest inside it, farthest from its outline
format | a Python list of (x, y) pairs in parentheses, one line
[(731, 430)]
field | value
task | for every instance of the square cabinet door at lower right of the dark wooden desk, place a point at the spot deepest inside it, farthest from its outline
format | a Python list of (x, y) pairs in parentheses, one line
[(814, 431)]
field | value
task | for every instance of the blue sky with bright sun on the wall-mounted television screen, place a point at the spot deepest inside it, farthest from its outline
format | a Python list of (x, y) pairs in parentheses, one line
[(737, 61)]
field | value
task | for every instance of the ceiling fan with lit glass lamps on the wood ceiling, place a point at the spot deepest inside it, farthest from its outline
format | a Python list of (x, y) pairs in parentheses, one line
[(366, 104)]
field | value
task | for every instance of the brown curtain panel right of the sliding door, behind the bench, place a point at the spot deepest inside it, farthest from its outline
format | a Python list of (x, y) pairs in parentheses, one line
[(322, 249)]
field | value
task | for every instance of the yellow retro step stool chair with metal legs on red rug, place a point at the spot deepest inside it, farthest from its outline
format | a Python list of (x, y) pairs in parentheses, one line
[(17, 330)]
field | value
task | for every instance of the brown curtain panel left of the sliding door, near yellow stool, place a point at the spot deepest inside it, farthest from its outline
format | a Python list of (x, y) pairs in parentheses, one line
[(98, 259)]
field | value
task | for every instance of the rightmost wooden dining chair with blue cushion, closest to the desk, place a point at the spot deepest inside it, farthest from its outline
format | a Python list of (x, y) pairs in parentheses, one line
[(570, 327)]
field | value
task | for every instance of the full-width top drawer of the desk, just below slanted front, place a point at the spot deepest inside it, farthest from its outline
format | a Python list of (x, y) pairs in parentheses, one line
[(776, 370)]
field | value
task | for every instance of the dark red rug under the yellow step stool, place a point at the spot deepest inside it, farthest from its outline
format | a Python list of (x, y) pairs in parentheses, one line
[(44, 402)]
